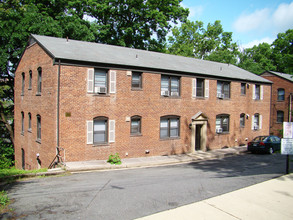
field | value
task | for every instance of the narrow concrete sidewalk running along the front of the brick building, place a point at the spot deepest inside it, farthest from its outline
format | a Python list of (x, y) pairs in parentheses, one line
[(154, 160)]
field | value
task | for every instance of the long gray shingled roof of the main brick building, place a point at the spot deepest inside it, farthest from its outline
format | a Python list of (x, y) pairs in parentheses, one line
[(60, 48)]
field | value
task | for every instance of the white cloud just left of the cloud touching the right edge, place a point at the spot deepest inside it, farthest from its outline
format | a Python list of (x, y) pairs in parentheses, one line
[(253, 21)]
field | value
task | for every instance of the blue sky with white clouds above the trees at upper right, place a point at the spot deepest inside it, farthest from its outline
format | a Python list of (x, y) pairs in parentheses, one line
[(251, 21)]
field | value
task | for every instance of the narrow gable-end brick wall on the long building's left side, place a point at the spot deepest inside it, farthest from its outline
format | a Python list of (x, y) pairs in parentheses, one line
[(44, 105)]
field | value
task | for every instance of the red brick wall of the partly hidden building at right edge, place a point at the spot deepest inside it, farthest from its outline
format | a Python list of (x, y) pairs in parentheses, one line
[(279, 105)]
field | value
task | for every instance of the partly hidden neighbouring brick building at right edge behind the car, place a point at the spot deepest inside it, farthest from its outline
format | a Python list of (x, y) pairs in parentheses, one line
[(281, 104)]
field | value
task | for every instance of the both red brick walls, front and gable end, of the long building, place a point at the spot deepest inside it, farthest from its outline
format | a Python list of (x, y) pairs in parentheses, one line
[(146, 103)]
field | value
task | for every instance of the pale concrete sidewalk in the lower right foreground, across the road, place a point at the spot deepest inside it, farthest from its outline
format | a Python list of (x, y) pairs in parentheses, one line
[(272, 199)]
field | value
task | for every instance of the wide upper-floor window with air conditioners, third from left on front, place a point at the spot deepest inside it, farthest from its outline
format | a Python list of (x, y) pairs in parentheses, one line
[(170, 86)]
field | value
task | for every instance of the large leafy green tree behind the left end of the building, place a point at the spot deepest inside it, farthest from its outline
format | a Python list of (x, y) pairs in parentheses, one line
[(141, 24)]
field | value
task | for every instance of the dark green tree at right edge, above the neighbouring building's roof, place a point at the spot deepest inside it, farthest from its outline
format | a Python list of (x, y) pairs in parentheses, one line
[(283, 52)]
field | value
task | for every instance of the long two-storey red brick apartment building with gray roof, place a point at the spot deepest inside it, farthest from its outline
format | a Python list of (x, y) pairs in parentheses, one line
[(91, 100)]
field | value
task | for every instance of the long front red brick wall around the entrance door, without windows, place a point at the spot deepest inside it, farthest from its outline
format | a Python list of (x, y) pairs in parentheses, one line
[(149, 104)]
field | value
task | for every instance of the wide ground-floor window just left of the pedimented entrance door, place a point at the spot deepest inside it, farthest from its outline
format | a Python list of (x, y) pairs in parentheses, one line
[(169, 127)]
